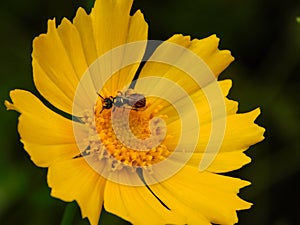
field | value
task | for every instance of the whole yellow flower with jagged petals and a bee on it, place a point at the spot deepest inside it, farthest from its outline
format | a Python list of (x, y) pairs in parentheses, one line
[(148, 152)]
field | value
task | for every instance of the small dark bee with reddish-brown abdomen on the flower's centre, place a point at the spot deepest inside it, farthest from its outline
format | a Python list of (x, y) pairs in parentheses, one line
[(134, 100)]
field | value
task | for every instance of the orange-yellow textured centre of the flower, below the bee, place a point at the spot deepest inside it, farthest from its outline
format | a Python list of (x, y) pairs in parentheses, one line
[(131, 137)]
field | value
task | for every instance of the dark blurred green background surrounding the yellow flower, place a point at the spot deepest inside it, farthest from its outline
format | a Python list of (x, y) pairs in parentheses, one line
[(264, 38)]
